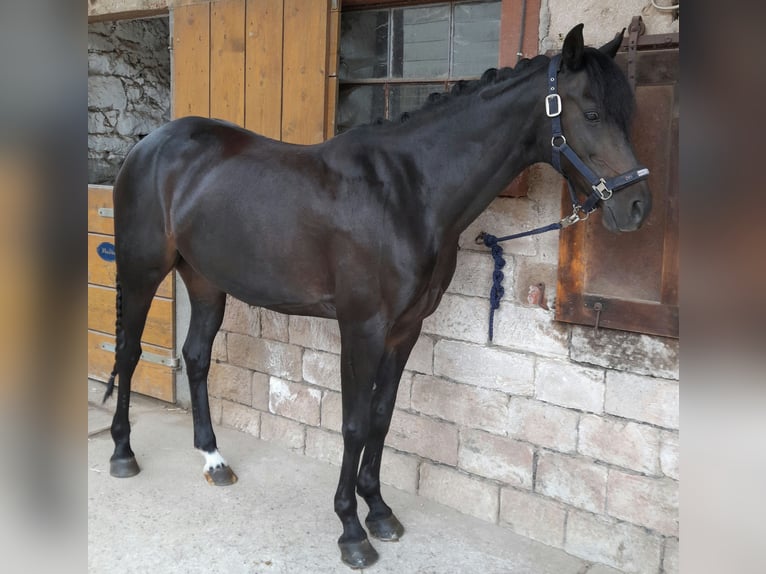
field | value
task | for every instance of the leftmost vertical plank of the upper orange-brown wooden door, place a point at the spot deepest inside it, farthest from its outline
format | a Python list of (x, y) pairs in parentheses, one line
[(191, 60)]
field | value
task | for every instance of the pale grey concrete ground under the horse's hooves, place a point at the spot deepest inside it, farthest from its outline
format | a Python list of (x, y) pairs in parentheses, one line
[(278, 519)]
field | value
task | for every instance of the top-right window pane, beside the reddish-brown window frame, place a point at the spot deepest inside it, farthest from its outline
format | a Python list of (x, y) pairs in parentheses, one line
[(476, 43)]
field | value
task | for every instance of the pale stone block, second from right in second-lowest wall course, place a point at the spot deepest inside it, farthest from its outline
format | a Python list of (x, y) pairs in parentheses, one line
[(575, 481)]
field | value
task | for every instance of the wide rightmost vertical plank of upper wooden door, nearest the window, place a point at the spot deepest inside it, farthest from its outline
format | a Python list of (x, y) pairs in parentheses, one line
[(305, 70)]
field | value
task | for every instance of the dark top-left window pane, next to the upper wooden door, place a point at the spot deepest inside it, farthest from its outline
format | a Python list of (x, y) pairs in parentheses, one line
[(363, 45)]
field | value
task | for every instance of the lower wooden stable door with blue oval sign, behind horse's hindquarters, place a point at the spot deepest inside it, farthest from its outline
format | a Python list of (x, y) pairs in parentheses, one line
[(154, 375)]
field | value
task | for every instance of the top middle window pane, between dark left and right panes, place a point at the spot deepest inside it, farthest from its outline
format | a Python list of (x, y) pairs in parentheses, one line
[(421, 42)]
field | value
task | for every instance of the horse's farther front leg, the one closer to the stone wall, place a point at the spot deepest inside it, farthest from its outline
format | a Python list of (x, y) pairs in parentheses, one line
[(381, 521)]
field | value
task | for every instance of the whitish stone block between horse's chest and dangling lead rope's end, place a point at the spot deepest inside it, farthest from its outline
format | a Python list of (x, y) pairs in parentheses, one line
[(459, 317)]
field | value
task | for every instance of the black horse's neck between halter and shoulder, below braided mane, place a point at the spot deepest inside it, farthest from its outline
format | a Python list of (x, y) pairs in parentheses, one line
[(477, 151)]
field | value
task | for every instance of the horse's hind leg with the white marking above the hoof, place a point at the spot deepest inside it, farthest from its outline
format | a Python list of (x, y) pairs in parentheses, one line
[(207, 308)]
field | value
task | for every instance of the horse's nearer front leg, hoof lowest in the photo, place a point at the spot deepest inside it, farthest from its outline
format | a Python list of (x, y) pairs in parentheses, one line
[(361, 352)]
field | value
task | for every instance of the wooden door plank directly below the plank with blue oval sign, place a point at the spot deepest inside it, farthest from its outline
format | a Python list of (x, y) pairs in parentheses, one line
[(159, 323)]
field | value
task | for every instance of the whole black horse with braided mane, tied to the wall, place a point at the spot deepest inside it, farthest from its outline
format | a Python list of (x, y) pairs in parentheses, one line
[(362, 228)]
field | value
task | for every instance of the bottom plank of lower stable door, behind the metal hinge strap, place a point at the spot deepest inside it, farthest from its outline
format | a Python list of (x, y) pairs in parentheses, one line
[(149, 378)]
